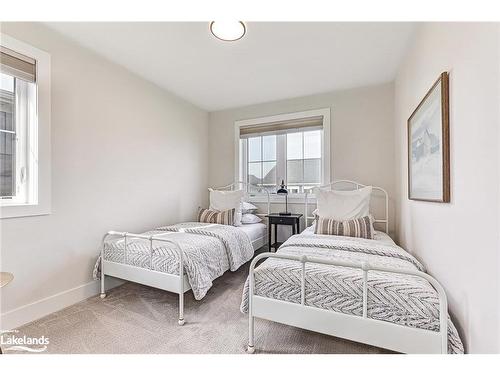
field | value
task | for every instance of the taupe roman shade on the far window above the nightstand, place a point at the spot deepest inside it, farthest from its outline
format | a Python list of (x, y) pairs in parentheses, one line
[(282, 127)]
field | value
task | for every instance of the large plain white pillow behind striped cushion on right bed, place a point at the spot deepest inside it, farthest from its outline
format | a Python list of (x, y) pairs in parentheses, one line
[(344, 205)]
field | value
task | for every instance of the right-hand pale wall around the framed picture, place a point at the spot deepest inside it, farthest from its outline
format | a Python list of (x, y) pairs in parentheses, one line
[(458, 242)]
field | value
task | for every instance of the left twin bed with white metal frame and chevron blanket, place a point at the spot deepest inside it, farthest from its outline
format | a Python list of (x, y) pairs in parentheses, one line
[(180, 257)]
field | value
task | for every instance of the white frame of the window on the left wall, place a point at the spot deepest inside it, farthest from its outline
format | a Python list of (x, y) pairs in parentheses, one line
[(41, 204)]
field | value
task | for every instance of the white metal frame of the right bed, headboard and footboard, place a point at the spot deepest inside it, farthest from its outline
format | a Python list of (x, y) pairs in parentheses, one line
[(356, 328)]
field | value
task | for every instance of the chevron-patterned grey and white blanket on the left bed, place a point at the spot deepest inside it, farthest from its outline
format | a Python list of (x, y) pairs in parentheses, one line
[(207, 253)]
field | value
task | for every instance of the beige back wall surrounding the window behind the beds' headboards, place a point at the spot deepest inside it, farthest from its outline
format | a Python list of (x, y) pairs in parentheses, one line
[(362, 135)]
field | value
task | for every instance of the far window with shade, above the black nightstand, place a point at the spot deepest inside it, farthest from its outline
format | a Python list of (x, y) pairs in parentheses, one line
[(292, 150)]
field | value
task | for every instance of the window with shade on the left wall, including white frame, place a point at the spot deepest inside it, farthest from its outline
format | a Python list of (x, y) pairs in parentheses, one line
[(24, 129)]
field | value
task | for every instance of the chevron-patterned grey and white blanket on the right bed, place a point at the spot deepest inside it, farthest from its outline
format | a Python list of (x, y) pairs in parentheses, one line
[(401, 299)]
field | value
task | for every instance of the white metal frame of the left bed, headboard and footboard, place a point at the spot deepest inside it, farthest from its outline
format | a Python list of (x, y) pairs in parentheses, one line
[(169, 282)]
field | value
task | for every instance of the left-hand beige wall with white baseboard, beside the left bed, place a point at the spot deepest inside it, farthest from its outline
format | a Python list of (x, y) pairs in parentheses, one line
[(118, 144)]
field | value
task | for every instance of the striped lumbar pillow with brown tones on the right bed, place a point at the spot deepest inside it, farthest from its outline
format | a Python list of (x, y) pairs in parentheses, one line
[(362, 227)]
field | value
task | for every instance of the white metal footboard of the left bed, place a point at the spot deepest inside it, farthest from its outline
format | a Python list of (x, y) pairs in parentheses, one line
[(147, 276)]
